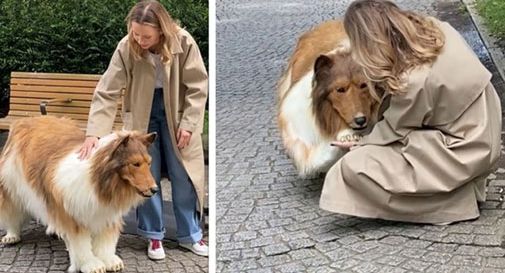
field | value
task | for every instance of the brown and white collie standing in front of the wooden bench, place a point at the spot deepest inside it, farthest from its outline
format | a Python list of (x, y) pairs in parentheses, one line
[(82, 201)]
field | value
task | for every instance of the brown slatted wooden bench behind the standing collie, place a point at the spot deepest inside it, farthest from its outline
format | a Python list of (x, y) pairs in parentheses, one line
[(58, 94)]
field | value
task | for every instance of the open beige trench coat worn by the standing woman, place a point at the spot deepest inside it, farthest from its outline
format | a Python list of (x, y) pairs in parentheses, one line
[(185, 90)]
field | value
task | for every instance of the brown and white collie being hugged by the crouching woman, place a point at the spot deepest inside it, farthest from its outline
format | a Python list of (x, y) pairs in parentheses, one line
[(323, 96)]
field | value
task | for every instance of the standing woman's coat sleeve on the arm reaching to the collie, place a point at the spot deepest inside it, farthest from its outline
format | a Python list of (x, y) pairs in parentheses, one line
[(107, 93)]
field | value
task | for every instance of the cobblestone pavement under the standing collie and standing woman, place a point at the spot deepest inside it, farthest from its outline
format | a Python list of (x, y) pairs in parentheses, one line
[(38, 252)]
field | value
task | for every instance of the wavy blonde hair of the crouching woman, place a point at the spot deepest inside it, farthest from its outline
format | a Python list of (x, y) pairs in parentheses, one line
[(387, 41)]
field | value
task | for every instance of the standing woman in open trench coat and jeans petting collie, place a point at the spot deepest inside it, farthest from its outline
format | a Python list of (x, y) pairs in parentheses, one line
[(159, 68)]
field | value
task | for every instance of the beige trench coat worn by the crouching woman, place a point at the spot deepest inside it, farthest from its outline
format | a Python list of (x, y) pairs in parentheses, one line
[(427, 159)]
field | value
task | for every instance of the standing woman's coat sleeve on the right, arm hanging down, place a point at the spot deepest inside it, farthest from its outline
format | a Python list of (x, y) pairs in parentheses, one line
[(194, 79)]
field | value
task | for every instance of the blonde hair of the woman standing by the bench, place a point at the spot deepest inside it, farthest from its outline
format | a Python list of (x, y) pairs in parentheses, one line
[(152, 13)]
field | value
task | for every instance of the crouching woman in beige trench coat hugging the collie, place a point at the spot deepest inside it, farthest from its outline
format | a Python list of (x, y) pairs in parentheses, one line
[(427, 158)]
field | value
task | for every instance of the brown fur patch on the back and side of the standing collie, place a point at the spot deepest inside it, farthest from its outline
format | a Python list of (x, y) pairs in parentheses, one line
[(36, 141)]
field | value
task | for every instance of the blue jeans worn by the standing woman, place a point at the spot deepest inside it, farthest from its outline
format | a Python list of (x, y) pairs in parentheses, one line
[(150, 213)]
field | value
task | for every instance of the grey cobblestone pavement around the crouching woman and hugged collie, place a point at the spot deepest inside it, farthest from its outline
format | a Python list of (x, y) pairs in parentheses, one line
[(268, 219)]
